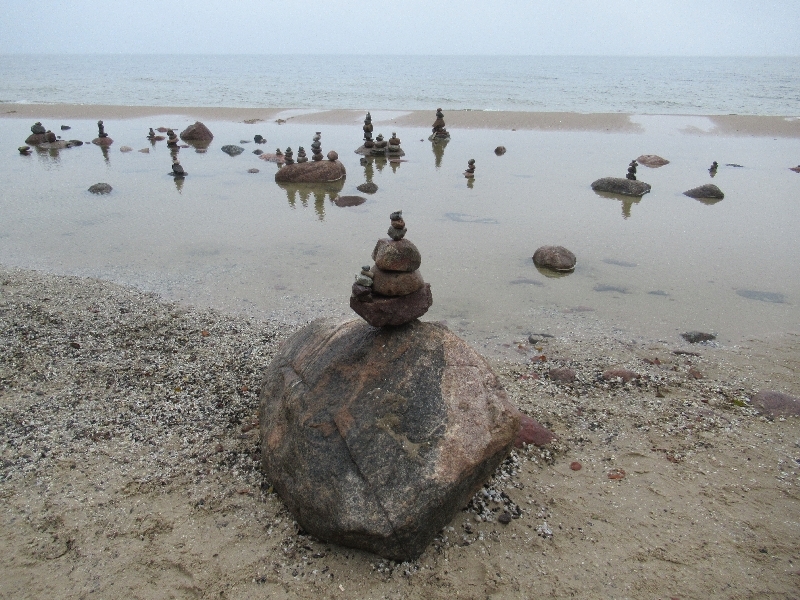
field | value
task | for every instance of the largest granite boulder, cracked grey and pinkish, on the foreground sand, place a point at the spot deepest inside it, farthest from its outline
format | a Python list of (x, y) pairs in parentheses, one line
[(375, 438)]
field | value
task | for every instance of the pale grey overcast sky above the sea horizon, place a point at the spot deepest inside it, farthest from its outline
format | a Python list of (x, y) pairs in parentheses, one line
[(562, 27)]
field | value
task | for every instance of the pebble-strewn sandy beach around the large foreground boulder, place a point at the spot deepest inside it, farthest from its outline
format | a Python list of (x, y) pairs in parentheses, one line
[(130, 447)]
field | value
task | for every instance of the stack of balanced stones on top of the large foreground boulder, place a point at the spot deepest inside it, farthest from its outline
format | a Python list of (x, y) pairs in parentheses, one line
[(392, 292)]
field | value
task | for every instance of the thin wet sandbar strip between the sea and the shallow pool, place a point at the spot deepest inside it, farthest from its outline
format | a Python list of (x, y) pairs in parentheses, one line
[(744, 125)]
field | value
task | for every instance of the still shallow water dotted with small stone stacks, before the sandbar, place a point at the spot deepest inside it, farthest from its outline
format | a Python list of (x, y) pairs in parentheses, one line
[(648, 268)]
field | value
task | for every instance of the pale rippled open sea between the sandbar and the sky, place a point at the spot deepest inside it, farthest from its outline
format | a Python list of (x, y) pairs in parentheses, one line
[(642, 85)]
